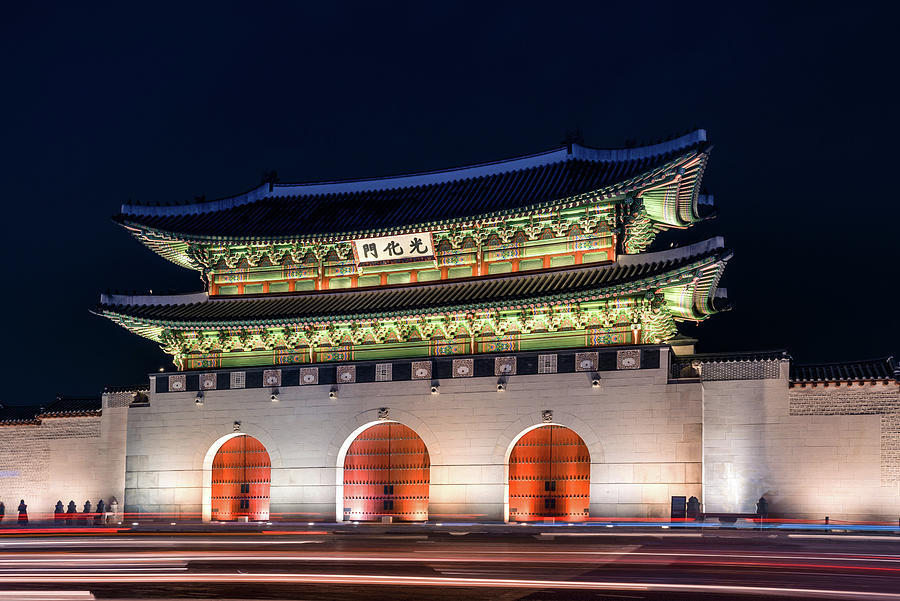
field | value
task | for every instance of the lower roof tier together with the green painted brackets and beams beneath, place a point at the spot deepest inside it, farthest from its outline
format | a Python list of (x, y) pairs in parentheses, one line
[(635, 300)]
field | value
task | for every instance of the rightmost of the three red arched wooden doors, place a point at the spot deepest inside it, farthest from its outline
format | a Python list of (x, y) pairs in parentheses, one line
[(549, 476)]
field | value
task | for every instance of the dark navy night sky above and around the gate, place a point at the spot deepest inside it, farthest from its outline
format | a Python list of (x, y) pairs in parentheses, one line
[(105, 104)]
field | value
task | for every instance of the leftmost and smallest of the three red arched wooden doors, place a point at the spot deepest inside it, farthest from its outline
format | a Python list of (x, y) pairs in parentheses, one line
[(241, 477)]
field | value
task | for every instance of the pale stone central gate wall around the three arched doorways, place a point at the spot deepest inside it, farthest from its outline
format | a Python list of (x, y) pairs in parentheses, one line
[(643, 434)]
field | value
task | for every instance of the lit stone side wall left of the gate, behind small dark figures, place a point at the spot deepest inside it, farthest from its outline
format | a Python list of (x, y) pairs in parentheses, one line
[(62, 459)]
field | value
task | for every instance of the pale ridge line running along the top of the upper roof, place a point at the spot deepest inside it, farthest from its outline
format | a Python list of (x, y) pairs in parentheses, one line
[(410, 180)]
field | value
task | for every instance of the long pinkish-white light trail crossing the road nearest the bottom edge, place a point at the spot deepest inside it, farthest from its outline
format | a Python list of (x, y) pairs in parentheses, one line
[(432, 581)]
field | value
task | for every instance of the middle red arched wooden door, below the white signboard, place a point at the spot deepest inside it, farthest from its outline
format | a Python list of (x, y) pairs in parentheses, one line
[(386, 473)]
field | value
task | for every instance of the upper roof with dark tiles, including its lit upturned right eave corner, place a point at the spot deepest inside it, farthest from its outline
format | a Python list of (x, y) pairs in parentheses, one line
[(279, 211)]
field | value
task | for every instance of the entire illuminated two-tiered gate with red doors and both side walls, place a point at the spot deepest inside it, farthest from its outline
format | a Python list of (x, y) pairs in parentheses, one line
[(493, 342)]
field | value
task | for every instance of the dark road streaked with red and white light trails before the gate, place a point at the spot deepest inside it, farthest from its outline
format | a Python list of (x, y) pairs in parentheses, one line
[(417, 564)]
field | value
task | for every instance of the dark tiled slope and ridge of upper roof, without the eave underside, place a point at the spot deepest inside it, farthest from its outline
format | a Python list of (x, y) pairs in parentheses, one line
[(314, 209)]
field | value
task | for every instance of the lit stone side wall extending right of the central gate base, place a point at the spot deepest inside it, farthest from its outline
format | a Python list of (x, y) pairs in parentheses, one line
[(812, 451)]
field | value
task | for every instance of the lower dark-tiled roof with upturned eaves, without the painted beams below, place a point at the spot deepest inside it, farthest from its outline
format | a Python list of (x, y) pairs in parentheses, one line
[(696, 264)]
